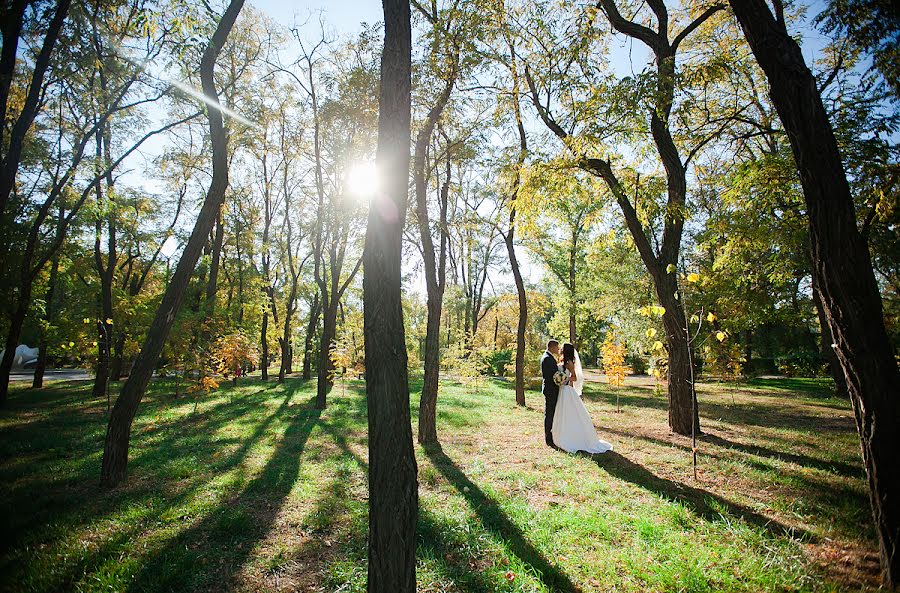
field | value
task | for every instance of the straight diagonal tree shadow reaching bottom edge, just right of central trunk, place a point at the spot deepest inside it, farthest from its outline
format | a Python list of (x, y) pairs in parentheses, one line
[(495, 521)]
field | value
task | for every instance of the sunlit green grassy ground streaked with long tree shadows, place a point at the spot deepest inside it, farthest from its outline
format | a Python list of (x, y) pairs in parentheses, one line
[(257, 491)]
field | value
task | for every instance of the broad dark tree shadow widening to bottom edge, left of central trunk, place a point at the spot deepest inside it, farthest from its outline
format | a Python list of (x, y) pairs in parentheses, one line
[(212, 551)]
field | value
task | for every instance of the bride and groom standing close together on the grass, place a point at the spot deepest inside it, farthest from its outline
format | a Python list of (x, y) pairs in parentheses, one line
[(567, 423)]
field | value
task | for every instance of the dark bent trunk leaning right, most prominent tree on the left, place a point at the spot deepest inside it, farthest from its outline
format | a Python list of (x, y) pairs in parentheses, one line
[(118, 432)]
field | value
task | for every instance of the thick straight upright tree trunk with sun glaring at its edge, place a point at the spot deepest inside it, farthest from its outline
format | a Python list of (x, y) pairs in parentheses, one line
[(393, 488)]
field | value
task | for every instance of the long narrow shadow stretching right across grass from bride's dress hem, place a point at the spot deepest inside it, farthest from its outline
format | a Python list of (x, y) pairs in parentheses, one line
[(702, 502)]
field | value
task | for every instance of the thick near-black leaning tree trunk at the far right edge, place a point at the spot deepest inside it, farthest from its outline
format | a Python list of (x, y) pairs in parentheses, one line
[(842, 268)]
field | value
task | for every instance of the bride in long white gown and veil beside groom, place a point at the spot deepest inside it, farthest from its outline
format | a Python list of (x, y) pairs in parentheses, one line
[(573, 429)]
